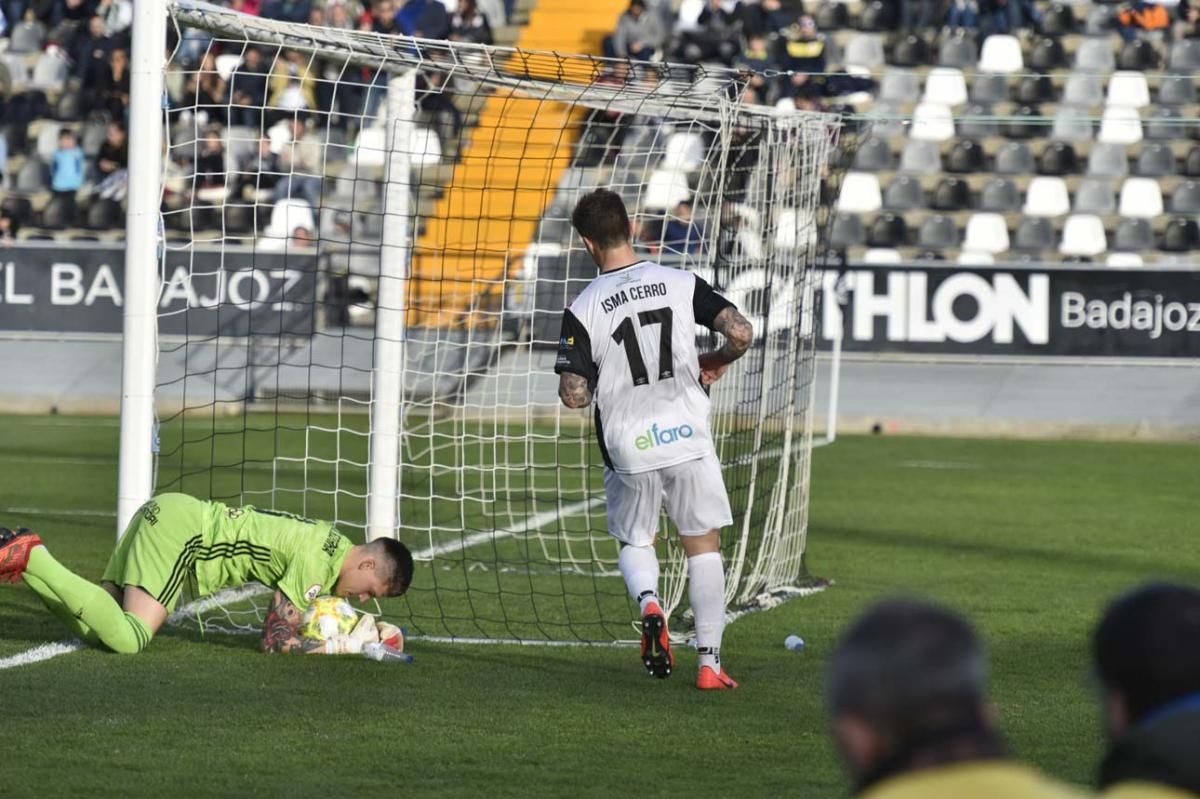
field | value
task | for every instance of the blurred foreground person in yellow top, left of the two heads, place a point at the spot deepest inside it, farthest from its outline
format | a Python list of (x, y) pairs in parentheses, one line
[(908, 698)]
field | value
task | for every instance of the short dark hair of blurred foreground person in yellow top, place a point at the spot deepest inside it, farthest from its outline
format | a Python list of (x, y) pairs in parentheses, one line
[(910, 670)]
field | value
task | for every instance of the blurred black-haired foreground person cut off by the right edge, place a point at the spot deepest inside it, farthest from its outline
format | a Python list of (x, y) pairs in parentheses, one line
[(1147, 657)]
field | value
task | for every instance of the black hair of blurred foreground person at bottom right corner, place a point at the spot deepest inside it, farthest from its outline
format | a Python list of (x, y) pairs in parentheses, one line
[(1147, 647)]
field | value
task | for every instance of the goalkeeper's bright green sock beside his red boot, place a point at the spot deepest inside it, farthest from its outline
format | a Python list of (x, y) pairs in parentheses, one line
[(121, 632)]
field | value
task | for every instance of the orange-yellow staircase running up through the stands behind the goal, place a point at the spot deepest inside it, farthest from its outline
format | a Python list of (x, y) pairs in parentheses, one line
[(507, 177)]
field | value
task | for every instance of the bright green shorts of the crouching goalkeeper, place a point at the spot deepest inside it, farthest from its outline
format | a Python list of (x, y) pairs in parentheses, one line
[(158, 552)]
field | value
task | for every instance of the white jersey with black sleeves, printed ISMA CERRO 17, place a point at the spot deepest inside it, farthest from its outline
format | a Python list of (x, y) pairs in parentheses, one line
[(632, 333)]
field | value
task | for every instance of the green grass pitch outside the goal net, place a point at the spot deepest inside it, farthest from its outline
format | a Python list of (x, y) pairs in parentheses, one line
[(1028, 538)]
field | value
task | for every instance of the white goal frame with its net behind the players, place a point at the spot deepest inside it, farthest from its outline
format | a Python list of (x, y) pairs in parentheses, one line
[(353, 254)]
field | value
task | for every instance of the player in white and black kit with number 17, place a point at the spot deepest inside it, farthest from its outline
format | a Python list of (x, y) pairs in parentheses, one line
[(629, 343)]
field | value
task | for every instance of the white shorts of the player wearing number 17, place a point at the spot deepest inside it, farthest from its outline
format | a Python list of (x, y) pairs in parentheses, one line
[(694, 492)]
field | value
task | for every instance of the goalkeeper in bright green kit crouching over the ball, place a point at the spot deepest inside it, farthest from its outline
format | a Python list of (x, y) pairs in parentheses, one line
[(175, 539)]
